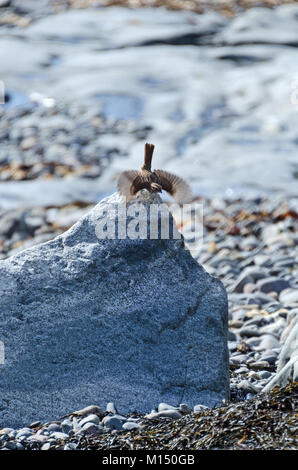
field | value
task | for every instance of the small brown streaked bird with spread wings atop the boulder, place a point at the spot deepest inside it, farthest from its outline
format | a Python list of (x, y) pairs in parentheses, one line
[(132, 181)]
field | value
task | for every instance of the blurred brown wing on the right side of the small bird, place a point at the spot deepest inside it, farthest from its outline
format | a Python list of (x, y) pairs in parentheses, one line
[(175, 186)]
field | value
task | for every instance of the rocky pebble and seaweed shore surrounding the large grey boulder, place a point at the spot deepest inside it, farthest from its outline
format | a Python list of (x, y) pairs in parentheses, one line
[(59, 157)]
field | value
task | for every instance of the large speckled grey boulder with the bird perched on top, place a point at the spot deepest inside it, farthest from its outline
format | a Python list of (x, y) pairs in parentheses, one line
[(87, 321)]
